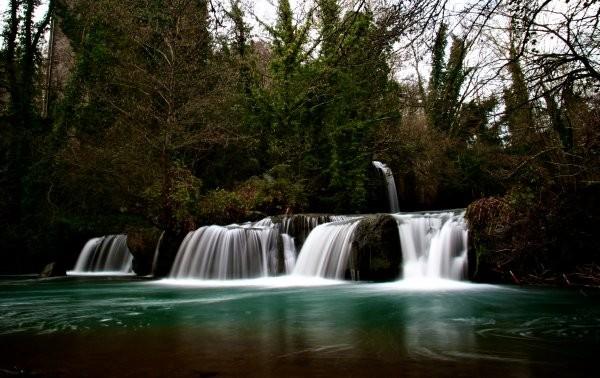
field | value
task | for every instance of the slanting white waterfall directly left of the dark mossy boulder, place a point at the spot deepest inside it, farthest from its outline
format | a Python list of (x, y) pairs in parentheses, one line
[(326, 250)]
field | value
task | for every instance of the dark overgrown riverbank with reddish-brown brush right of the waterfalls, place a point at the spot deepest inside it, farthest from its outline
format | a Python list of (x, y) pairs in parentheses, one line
[(529, 241)]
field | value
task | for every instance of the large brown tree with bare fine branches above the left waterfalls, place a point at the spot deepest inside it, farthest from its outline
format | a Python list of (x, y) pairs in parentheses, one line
[(172, 97)]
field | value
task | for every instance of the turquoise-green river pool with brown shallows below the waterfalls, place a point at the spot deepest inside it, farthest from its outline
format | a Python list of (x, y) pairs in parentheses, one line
[(127, 327)]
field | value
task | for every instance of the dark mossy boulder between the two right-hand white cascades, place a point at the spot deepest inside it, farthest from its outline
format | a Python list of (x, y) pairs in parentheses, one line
[(376, 254)]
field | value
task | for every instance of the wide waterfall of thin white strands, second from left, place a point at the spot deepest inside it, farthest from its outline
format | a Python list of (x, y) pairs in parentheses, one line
[(231, 252)]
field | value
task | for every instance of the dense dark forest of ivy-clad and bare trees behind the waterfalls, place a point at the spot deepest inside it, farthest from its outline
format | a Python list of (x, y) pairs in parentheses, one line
[(125, 116)]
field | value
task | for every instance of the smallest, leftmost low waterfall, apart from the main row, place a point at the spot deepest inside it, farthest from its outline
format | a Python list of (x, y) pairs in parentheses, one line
[(106, 254)]
